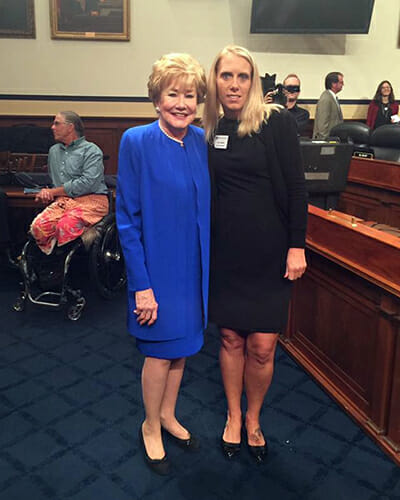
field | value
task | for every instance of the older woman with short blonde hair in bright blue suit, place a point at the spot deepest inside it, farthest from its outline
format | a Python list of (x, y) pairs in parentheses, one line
[(163, 221)]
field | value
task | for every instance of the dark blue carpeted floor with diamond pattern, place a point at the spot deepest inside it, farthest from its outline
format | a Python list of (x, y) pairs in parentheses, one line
[(70, 409)]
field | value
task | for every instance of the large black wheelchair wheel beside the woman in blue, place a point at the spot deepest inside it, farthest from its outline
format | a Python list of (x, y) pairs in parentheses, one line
[(106, 260)]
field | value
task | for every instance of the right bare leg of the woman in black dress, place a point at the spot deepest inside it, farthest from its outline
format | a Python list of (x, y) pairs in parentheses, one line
[(259, 368)]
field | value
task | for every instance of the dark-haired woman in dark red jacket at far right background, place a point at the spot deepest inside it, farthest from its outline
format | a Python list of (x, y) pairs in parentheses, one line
[(382, 107)]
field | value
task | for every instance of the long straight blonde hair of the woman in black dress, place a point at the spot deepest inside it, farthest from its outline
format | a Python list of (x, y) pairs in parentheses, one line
[(254, 111)]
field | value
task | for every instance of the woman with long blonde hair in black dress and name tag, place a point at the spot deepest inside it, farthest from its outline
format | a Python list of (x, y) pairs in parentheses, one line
[(259, 225)]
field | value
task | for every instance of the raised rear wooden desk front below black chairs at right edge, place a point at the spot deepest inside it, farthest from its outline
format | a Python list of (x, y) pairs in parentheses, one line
[(373, 191)]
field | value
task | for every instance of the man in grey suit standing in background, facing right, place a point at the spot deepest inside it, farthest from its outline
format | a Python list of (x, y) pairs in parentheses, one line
[(328, 113)]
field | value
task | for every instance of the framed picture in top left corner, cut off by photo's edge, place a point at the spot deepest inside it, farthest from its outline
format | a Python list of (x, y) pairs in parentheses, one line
[(17, 19)]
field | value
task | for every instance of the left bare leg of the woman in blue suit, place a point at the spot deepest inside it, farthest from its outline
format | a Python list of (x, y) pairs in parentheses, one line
[(154, 380)]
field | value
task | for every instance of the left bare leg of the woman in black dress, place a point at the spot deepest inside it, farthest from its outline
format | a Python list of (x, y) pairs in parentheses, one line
[(232, 361)]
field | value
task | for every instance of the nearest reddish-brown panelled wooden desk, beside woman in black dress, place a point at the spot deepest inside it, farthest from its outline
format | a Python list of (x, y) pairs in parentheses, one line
[(344, 323)]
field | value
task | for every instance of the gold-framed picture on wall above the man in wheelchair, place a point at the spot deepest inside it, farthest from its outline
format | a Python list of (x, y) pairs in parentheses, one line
[(89, 19)]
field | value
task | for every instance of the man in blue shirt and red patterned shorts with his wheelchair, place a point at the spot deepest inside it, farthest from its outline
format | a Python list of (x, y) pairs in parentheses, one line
[(78, 200)]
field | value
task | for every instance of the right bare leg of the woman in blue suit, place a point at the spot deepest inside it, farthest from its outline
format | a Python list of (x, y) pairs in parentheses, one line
[(168, 405)]
